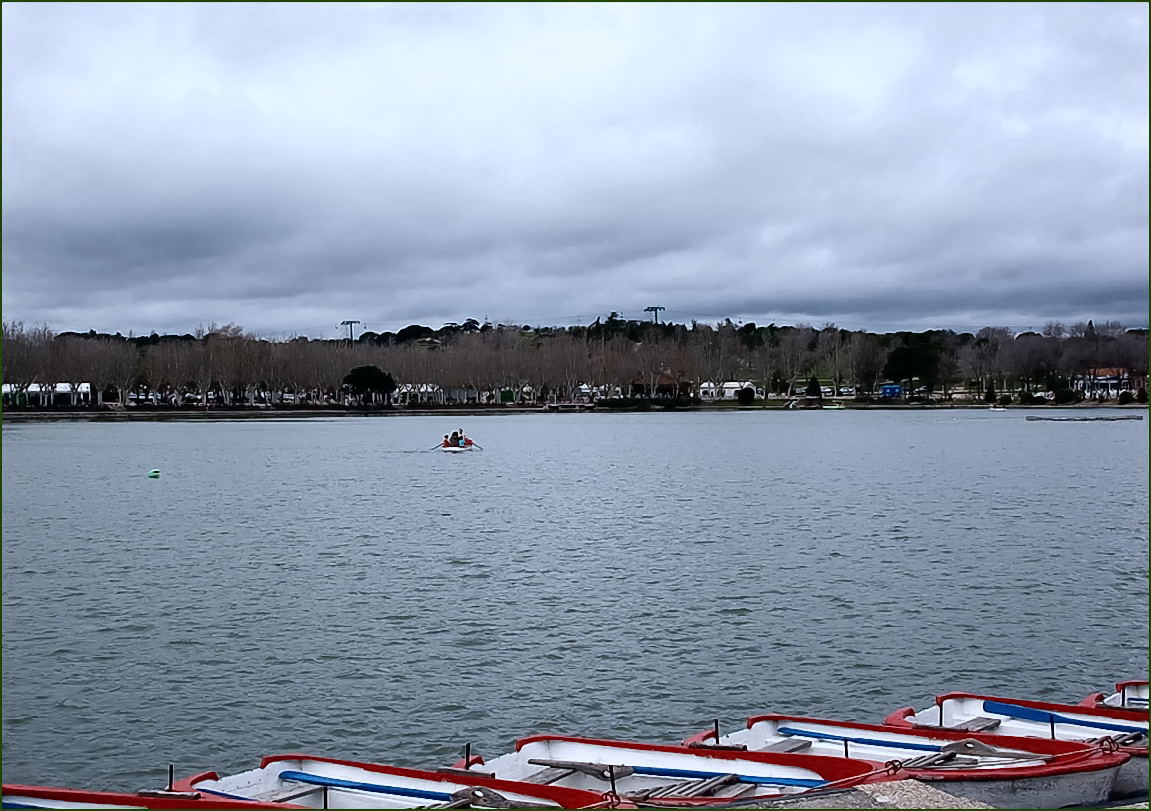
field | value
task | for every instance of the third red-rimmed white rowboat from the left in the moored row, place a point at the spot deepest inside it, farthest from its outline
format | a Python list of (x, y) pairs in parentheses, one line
[(642, 772)]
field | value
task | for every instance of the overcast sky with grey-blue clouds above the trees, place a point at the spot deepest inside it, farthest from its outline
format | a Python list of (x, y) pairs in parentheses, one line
[(287, 167)]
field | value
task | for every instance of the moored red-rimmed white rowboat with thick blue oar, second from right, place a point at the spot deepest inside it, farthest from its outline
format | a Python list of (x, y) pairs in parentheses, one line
[(1020, 717)]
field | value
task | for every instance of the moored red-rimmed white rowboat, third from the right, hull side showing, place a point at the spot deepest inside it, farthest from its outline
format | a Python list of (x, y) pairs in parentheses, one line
[(1001, 771)]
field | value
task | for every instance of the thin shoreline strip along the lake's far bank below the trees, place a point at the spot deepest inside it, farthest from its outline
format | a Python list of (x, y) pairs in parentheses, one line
[(133, 416)]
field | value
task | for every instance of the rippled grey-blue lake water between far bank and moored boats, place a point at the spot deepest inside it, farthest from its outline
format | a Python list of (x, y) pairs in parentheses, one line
[(331, 586)]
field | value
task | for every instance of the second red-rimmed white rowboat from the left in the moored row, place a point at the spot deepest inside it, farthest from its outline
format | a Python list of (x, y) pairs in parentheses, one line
[(321, 783)]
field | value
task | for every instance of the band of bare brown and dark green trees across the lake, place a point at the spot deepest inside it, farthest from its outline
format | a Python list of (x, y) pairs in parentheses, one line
[(612, 355)]
